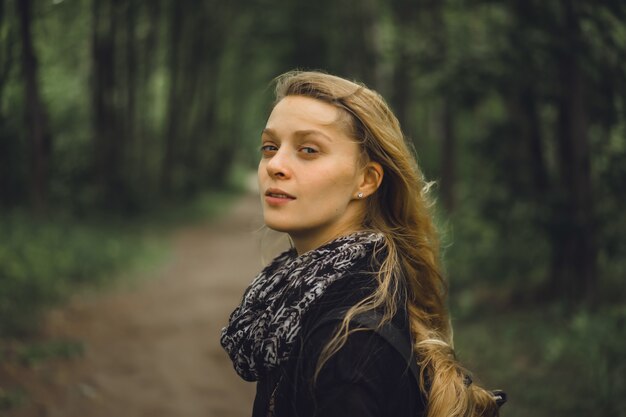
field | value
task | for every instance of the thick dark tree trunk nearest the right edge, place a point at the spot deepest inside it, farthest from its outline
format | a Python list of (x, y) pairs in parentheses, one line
[(574, 248)]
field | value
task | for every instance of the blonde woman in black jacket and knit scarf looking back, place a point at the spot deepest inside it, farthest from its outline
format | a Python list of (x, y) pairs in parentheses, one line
[(352, 320)]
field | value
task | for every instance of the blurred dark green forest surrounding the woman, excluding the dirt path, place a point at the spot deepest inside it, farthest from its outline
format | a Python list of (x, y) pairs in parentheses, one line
[(123, 118)]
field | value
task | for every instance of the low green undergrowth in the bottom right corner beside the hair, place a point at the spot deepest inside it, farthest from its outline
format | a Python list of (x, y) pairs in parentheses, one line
[(549, 365)]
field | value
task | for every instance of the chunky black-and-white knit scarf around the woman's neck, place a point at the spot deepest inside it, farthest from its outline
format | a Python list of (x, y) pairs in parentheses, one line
[(262, 330)]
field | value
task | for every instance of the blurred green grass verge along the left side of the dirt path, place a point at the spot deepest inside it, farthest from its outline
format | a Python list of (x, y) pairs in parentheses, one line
[(42, 262)]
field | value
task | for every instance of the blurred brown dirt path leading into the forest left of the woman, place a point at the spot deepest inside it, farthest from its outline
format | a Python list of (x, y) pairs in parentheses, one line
[(154, 350)]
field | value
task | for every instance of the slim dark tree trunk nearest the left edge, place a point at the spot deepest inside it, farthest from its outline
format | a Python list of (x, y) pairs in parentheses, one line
[(40, 138)]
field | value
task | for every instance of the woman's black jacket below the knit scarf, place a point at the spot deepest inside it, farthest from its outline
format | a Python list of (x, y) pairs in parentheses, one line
[(367, 377)]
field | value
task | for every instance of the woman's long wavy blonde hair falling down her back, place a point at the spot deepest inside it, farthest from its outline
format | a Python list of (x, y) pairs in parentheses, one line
[(410, 270)]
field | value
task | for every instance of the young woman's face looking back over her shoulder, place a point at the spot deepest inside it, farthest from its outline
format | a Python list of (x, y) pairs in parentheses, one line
[(309, 173)]
